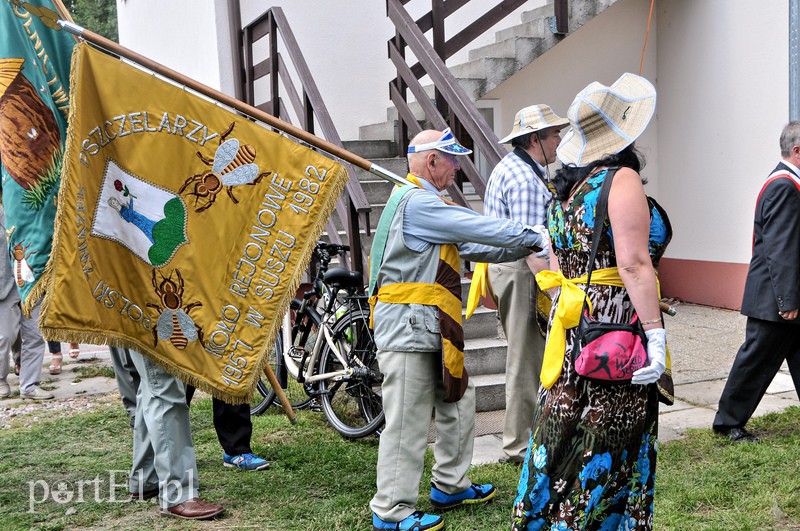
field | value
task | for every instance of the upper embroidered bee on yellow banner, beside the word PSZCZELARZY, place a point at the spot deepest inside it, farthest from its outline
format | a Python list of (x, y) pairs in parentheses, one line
[(232, 166)]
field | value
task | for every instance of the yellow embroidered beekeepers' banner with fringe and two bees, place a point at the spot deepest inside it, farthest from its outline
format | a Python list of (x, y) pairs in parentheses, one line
[(182, 229)]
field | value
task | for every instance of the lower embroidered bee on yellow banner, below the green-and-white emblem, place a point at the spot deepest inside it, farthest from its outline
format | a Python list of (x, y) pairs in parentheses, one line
[(174, 323)]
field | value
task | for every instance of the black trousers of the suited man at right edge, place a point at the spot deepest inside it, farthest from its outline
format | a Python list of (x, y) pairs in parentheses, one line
[(766, 345)]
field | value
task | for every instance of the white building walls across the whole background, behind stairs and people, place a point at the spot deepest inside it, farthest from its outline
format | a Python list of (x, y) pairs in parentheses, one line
[(720, 68)]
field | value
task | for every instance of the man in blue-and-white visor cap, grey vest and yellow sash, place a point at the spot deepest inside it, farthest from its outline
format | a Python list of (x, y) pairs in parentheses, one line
[(415, 295)]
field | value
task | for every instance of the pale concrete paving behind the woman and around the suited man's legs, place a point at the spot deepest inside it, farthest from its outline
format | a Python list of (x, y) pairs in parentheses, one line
[(703, 342)]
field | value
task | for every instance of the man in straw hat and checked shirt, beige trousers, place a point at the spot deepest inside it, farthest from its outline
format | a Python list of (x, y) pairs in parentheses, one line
[(519, 189)]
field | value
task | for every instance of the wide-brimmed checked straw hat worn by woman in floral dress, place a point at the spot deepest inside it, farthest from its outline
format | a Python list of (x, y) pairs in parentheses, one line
[(605, 120)]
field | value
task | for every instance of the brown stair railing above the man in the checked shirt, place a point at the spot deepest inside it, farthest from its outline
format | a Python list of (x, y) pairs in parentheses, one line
[(452, 107)]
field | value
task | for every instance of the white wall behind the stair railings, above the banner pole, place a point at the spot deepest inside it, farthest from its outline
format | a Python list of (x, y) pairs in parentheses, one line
[(343, 41)]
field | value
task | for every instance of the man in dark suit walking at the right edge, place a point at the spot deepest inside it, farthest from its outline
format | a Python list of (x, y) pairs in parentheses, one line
[(771, 296)]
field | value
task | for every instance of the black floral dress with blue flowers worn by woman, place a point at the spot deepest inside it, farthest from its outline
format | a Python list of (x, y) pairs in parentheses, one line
[(591, 460)]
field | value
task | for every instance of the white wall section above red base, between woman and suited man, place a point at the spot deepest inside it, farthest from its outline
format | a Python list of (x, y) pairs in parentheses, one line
[(723, 99)]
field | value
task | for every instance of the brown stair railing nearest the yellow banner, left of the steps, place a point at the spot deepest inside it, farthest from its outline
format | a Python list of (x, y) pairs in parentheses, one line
[(352, 208)]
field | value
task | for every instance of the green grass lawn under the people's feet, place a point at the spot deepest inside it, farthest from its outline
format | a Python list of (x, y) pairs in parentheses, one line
[(55, 473)]
